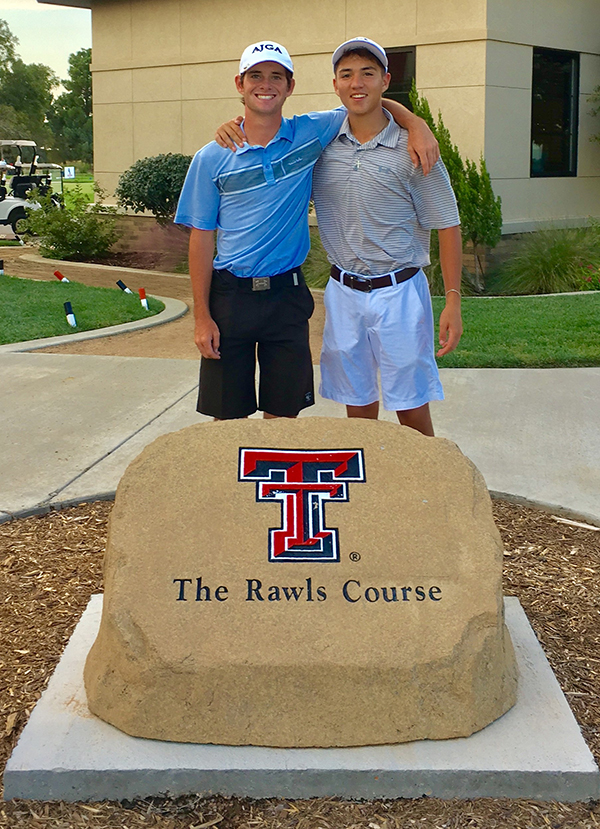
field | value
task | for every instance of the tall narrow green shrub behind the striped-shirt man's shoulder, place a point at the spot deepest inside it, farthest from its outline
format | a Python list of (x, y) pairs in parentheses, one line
[(479, 209)]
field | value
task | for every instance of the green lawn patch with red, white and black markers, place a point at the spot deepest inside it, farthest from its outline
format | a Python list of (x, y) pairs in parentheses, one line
[(30, 309)]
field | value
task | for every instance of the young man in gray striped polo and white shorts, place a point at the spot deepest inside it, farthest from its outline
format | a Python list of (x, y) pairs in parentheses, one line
[(375, 214)]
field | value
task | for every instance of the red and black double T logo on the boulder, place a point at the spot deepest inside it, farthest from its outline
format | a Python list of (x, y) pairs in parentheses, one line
[(303, 480)]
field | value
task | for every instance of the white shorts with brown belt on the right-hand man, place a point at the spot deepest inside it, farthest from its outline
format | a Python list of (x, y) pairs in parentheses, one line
[(390, 329)]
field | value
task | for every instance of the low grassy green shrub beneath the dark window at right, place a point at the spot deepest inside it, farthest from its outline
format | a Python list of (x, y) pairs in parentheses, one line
[(551, 261)]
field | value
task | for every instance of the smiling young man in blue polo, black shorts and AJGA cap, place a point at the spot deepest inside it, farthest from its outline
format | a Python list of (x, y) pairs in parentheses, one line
[(252, 300)]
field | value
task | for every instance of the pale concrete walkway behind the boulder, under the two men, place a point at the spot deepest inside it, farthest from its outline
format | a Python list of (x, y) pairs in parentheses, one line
[(71, 424)]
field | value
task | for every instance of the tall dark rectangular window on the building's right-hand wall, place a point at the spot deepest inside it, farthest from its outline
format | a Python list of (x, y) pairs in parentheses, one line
[(554, 113)]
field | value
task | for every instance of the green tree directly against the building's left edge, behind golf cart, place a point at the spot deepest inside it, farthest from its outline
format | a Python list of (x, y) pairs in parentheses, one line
[(70, 115)]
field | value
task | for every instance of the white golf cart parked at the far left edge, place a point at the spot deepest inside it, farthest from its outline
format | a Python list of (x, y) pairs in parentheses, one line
[(19, 162)]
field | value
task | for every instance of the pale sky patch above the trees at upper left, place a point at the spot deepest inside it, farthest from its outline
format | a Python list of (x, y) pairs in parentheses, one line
[(47, 34)]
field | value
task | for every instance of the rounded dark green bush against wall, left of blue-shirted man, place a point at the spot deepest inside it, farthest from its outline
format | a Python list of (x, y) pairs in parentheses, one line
[(154, 184)]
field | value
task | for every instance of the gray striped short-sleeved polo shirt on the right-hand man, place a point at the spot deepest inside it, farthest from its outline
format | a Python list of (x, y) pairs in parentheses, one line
[(375, 210)]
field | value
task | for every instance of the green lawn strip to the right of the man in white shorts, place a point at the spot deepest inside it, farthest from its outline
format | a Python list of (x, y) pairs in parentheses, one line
[(526, 332)]
